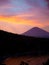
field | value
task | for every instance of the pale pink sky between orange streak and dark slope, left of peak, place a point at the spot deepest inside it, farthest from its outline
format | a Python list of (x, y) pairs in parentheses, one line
[(14, 28)]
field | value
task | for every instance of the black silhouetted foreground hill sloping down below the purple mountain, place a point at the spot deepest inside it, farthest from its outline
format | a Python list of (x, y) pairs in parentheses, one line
[(13, 44)]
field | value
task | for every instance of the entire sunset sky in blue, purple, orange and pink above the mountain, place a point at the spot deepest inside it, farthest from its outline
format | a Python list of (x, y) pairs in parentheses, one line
[(18, 16)]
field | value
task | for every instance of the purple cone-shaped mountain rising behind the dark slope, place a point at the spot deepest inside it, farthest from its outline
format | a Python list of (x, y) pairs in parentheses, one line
[(37, 32)]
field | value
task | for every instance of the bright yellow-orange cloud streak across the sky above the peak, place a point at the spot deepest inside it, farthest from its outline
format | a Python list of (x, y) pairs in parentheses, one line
[(19, 20)]
